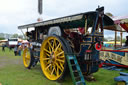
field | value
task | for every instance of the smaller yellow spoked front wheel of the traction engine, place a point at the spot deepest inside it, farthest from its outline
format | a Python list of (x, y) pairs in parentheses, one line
[(26, 58)]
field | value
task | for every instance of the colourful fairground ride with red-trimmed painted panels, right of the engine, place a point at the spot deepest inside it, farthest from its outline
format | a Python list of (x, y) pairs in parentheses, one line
[(118, 55)]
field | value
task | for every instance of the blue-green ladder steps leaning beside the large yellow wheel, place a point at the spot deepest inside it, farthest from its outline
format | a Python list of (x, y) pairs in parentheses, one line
[(76, 74)]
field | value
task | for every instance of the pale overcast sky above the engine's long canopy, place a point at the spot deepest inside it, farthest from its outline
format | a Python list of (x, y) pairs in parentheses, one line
[(19, 12)]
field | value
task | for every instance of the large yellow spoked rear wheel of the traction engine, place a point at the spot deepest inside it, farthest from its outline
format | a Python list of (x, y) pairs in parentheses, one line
[(52, 58)]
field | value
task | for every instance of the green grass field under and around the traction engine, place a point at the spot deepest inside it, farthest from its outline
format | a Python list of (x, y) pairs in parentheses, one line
[(12, 72)]
